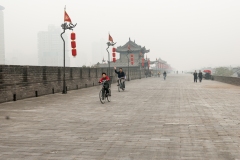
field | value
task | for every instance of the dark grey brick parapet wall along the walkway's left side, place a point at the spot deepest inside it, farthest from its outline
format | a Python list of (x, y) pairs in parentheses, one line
[(19, 82)]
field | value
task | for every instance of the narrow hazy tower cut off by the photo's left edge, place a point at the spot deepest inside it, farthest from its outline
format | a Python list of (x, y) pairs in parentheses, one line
[(2, 44)]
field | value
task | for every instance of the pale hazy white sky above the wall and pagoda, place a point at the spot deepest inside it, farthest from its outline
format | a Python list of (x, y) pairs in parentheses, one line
[(188, 34)]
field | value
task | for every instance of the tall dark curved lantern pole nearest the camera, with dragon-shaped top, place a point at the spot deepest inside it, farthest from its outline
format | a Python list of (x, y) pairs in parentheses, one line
[(65, 27)]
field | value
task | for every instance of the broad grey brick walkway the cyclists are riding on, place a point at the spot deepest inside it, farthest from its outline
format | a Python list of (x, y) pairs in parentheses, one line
[(152, 119)]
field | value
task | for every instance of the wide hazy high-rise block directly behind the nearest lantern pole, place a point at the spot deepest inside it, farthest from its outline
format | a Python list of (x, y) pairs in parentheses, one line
[(50, 48)]
